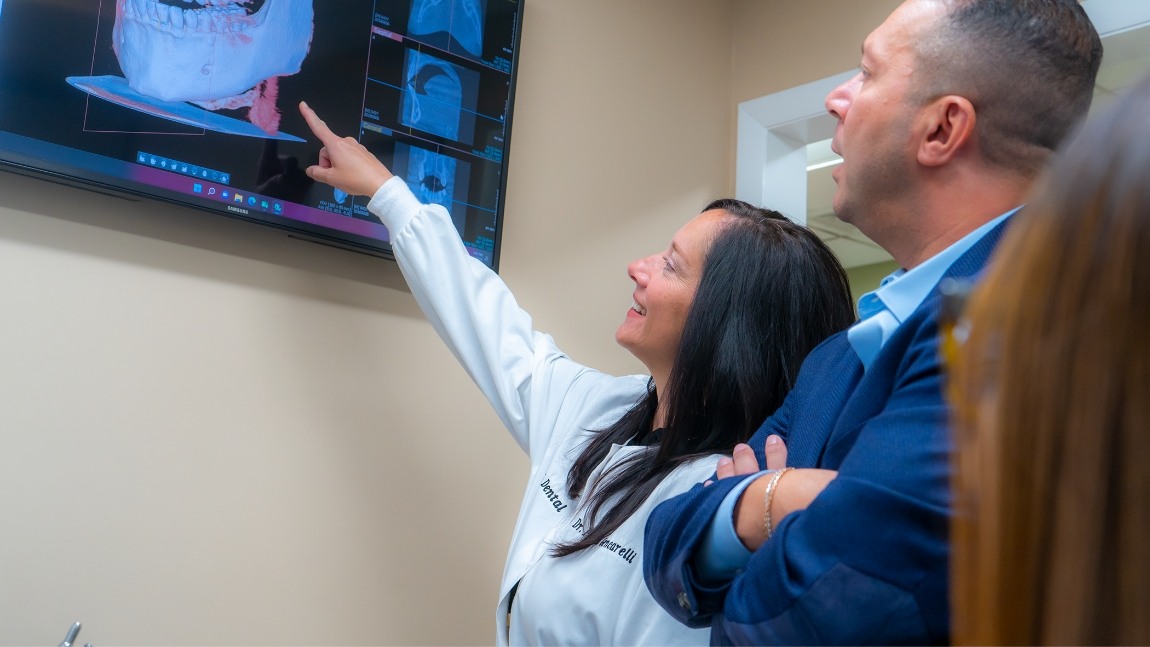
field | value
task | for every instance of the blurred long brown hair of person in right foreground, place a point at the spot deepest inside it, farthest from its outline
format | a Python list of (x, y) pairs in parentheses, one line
[(1052, 406)]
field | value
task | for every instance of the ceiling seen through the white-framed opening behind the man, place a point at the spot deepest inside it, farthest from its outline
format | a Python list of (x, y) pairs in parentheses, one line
[(1126, 59)]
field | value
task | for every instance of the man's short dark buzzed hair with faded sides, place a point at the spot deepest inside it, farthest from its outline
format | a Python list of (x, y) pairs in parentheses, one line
[(1028, 66)]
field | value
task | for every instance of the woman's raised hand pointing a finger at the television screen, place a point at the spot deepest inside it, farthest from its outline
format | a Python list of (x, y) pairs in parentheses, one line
[(344, 163)]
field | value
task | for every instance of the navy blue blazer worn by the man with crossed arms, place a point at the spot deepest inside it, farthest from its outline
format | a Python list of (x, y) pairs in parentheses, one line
[(868, 563)]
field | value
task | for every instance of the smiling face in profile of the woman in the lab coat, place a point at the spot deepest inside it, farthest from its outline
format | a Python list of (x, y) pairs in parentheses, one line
[(665, 286)]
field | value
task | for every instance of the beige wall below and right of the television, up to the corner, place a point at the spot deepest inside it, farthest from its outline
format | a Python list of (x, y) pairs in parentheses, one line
[(214, 435)]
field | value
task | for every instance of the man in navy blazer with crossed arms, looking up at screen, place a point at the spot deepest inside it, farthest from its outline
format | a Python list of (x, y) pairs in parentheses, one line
[(956, 109)]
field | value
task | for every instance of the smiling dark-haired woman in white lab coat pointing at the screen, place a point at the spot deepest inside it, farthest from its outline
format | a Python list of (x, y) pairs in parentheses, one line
[(722, 320)]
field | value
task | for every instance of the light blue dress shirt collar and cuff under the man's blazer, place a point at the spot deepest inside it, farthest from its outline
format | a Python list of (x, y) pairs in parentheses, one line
[(722, 554)]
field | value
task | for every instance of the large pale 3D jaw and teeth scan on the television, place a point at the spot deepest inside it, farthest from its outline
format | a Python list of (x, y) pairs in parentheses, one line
[(214, 53)]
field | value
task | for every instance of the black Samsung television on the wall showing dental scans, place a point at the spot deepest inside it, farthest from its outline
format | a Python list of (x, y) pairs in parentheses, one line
[(195, 103)]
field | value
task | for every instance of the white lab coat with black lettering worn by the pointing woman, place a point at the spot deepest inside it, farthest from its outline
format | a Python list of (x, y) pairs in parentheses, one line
[(549, 403)]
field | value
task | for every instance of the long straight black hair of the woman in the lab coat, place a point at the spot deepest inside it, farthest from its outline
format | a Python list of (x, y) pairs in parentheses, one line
[(771, 291)]
